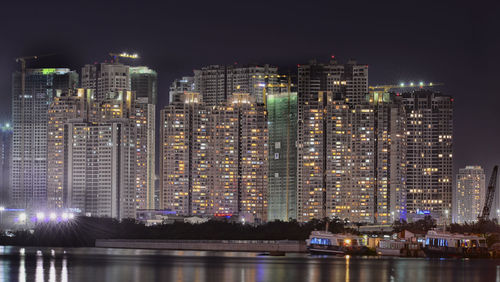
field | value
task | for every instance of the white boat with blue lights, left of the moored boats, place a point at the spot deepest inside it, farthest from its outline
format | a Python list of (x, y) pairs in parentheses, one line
[(324, 242)]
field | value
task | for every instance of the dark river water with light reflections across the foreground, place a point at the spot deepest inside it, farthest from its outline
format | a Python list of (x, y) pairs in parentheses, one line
[(94, 264)]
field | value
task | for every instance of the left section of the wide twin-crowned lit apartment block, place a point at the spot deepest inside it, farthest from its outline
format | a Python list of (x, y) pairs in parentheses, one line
[(178, 137)]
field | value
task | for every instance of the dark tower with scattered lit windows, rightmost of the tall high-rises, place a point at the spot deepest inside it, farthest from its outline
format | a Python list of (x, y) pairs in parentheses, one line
[(429, 122)]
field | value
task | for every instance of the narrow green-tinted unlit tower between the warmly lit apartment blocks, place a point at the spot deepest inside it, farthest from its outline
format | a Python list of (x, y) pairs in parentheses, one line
[(282, 128)]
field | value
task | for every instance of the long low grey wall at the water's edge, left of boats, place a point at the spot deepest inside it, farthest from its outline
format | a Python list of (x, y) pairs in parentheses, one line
[(268, 246)]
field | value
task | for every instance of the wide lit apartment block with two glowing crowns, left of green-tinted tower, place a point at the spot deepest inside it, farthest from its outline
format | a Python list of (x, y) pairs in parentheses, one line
[(214, 159)]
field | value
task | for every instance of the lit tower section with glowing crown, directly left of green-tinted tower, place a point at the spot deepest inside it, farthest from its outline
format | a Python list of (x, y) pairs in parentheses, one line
[(241, 159)]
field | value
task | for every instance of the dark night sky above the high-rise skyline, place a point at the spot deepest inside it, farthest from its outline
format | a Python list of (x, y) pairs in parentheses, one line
[(456, 44)]
